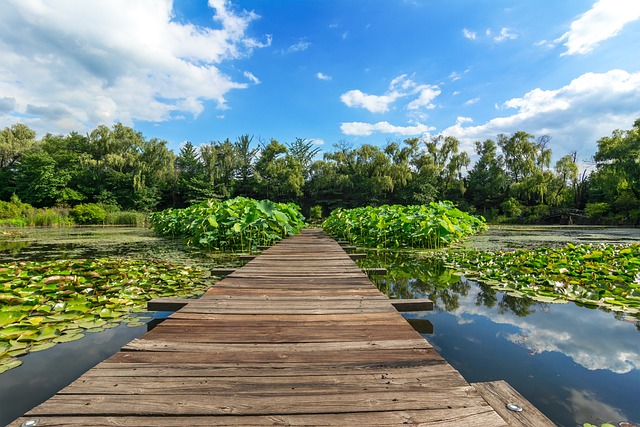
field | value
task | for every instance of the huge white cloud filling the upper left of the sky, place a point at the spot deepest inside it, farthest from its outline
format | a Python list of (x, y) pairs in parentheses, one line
[(74, 64)]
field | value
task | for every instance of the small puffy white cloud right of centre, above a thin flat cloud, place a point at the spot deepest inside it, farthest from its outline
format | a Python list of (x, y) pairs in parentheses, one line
[(400, 87)]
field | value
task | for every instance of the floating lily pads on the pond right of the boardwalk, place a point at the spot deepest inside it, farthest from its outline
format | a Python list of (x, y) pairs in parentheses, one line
[(591, 275)]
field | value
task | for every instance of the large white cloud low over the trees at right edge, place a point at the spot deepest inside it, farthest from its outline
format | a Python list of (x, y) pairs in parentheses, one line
[(576, 115)]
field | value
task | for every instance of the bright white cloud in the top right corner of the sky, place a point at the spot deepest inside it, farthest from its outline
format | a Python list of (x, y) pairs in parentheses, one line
[(604, 20)]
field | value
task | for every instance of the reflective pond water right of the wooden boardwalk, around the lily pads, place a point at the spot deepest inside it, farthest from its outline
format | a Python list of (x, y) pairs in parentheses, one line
[(575, 364)]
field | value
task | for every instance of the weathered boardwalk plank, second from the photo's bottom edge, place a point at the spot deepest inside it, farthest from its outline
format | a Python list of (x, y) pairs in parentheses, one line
[(258, 404)]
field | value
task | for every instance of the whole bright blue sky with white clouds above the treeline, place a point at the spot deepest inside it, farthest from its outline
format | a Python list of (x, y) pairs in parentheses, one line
[(359, 71)]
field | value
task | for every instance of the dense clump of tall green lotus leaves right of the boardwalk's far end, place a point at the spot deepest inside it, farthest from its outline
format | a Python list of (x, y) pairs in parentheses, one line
[(418, 226)]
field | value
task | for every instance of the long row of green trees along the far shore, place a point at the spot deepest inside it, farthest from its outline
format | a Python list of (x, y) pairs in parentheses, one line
[(512, 179)]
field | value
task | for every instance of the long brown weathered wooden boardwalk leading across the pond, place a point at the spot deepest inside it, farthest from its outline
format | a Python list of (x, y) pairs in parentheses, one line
[(298, 336)]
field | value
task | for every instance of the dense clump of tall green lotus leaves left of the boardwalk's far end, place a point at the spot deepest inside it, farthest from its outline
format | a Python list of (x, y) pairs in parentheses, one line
[(236, 224)]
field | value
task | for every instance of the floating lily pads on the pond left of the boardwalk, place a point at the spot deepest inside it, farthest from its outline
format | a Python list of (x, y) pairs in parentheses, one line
[(42, 304)]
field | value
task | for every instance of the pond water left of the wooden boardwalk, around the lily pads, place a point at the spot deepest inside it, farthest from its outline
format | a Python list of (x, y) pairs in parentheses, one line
[(43, 373)]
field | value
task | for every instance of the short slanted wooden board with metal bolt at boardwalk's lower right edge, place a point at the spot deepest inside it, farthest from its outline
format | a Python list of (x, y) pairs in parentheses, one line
[(499, 393)]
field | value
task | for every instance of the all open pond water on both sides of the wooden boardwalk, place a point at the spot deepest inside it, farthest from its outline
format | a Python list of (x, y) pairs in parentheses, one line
[(575, 364)]
